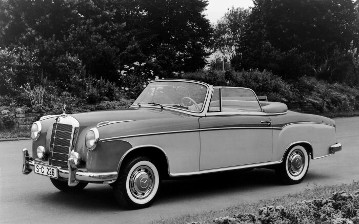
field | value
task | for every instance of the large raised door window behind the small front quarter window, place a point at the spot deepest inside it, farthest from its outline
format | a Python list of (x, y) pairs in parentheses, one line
[(239, 99)]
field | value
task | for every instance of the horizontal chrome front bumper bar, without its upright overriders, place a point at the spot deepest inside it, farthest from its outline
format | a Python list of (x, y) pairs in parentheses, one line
[(83, 175)]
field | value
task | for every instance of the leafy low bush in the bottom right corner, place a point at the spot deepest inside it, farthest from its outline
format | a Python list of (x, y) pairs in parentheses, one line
[(341, 207)]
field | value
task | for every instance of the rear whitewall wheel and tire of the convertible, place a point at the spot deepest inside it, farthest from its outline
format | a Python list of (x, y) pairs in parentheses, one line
[(295, 165)]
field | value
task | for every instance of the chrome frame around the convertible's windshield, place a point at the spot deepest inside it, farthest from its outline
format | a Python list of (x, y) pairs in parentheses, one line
[(203, 110)]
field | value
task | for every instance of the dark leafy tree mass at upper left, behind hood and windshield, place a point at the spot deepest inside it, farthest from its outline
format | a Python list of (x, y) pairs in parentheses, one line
[(105, 35)]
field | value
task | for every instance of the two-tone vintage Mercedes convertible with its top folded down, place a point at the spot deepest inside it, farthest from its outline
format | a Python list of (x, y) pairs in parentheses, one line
[(176, 128)]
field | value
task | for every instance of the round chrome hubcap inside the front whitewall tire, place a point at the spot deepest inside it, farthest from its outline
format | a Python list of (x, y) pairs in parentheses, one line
[(141, 182)]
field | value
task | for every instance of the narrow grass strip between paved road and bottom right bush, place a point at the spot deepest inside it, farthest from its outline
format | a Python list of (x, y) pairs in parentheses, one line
[(287, 200)]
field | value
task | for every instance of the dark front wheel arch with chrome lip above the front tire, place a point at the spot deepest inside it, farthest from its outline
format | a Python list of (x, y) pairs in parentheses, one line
[(153, 152)]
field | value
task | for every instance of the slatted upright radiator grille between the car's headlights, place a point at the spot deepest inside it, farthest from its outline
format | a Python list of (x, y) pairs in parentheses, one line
[(60, 144)]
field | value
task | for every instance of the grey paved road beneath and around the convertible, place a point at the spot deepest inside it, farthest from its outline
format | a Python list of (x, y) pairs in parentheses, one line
[(32, 198)]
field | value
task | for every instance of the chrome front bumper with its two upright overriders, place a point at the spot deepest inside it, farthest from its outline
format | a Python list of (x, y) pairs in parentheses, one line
[(72, 174)]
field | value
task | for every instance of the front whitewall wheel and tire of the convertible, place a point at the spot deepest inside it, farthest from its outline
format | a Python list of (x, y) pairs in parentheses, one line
[(137, 184)]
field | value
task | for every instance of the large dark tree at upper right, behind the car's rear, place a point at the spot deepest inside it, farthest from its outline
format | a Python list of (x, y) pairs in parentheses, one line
[(297, 34)]
